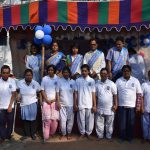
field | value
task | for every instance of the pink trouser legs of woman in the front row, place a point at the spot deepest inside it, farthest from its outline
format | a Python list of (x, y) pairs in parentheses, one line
[(49, 128)]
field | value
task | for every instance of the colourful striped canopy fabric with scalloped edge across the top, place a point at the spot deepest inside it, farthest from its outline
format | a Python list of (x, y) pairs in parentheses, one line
[(83, 14)]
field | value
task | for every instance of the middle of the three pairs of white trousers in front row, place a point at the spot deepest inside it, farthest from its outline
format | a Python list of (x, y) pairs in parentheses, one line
[(85, 120)]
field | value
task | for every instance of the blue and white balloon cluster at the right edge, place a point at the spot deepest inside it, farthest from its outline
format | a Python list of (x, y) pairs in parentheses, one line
[(145, 40)]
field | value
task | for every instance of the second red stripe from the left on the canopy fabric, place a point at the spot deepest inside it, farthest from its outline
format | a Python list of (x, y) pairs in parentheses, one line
[(52, 11)]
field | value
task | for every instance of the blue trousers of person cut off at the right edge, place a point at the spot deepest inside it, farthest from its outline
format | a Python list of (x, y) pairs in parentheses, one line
[(146, 125)]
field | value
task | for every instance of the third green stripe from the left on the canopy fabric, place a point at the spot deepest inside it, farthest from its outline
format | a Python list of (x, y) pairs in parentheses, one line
[(103, 13)]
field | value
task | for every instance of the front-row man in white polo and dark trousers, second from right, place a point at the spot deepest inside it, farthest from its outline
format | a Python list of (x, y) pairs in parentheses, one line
[(129, 99)]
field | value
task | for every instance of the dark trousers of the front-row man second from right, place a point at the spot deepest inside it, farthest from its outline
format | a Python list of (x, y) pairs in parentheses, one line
[(126, 123)]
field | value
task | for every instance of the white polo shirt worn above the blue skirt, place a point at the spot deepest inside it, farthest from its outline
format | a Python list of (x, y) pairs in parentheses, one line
[(28, 93)]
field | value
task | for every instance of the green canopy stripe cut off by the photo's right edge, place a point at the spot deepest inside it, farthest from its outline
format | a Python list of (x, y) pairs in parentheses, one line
[(145, 10)]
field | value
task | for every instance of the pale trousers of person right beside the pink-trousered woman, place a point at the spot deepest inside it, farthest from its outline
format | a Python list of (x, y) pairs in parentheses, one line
[(66, 120)]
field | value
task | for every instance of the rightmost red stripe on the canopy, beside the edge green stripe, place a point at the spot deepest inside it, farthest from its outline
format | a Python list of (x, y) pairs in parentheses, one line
[(136, 11)]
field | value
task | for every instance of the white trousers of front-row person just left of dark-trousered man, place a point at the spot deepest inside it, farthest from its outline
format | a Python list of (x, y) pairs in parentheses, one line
[(104, 122)]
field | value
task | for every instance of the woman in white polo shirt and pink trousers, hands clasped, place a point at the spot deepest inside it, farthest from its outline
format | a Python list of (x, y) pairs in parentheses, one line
[(50, 113)]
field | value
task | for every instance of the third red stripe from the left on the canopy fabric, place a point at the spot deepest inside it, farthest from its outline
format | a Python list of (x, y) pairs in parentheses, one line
[(92, 13)]
